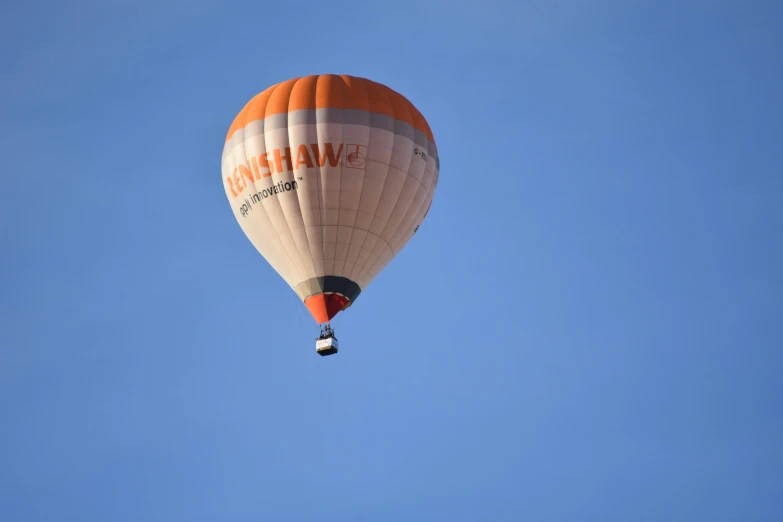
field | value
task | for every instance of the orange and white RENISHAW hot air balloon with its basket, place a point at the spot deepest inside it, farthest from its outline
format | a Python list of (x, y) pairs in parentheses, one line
[(329, 176)]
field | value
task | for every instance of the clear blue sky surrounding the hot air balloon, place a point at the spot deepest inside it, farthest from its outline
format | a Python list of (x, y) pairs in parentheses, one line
[(587, 327)]
